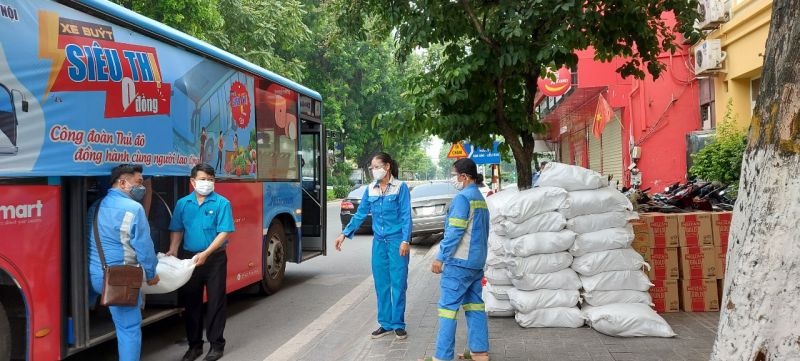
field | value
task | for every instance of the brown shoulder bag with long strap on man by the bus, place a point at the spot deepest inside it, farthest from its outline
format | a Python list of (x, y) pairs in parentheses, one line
[(121, 284)]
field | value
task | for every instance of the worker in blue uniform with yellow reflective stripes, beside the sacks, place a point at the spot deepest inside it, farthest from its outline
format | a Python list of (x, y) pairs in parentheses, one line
[(461, 258)]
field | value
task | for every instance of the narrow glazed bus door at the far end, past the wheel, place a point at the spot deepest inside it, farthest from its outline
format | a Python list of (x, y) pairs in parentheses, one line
[(312, 162)]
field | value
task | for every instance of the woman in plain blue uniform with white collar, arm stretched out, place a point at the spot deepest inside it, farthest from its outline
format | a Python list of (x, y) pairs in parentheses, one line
[(389, 200)]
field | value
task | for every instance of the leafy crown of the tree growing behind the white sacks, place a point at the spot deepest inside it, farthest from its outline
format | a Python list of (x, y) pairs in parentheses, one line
[(476, 62)]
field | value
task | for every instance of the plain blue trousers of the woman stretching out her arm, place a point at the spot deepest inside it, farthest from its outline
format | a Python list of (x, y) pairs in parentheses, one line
[(390, 273)]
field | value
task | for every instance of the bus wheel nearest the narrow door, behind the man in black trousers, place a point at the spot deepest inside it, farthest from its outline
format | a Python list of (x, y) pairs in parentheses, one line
[(274, 258)]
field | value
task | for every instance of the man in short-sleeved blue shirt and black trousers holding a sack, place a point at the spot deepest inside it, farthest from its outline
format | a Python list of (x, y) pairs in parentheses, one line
[(202, 221)]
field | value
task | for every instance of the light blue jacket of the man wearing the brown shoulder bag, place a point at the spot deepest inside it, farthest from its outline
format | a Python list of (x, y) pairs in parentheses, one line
[(124, 235)]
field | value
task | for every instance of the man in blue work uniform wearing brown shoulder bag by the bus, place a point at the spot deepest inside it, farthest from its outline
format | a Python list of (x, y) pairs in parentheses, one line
[(125, 238)]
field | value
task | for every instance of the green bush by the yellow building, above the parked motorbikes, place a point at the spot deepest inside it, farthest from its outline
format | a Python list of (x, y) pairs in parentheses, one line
[(721, 160)]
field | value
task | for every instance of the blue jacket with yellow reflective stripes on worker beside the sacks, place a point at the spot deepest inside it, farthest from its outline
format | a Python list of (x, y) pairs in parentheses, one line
[(466, 231)]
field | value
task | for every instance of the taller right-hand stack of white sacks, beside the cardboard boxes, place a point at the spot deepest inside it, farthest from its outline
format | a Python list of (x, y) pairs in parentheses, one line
[(615, 298)]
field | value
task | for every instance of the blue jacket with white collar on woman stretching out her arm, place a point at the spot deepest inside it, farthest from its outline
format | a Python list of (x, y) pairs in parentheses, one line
[(391, 212)]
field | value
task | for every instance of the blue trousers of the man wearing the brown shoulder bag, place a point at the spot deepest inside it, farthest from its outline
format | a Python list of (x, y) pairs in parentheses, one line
[(128, 324)]
